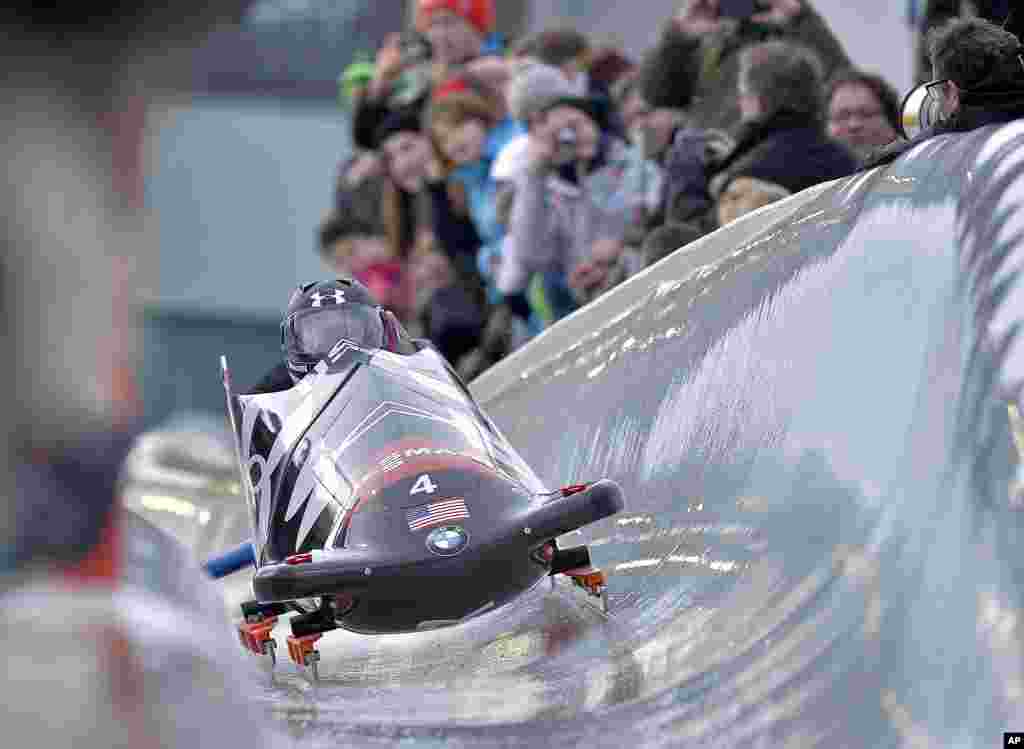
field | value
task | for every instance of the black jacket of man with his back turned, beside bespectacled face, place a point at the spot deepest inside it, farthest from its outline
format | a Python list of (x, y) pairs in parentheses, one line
[(789, 150)]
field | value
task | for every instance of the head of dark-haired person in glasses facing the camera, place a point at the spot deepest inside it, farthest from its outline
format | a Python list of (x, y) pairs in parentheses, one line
[(863, 111)]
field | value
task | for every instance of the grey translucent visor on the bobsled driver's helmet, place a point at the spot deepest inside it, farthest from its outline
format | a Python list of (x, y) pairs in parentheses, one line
[(315, 332)]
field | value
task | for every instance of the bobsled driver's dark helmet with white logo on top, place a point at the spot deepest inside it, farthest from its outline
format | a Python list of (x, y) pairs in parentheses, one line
[(321, 314)]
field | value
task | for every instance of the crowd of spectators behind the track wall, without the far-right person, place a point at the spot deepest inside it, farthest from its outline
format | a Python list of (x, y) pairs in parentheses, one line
[(495, 189)]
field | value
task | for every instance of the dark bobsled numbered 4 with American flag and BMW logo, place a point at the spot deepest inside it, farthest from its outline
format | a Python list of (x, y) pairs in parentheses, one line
[(383, 501)]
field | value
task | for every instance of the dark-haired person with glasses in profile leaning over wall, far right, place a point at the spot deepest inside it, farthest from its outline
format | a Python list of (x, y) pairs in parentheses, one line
[(979, 80)]
